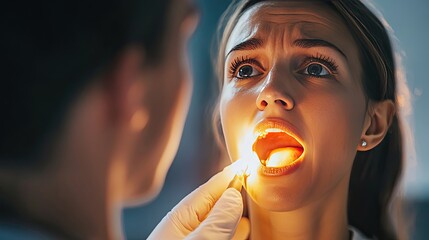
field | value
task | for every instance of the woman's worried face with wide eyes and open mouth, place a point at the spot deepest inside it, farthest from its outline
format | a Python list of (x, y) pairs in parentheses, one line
[(292, 94)]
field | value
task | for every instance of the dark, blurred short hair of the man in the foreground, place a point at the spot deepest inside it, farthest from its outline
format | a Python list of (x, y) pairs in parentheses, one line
[(52, 50)]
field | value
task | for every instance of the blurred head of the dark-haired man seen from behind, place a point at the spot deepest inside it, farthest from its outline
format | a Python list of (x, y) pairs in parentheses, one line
[(102, 83)]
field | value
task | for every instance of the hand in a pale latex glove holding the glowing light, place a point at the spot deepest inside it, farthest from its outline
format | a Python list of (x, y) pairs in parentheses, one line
[(210, 212)]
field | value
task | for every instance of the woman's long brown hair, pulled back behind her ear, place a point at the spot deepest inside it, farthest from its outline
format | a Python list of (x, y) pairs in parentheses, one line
[(375, 173)]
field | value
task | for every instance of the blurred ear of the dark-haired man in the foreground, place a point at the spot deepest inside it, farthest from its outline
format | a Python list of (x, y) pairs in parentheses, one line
[(124, 86)]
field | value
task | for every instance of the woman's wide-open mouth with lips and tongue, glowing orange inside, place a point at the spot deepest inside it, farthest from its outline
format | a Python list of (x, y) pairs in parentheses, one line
[(276, 148)]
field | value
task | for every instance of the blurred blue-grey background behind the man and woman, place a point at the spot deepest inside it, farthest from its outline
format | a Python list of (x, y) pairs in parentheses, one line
[(198, 156)]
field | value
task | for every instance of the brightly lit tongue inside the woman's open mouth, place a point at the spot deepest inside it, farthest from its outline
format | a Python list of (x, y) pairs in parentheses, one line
[(282, 157)]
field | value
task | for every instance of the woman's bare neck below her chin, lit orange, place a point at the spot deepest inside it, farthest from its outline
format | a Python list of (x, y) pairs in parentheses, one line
[(323, 219)]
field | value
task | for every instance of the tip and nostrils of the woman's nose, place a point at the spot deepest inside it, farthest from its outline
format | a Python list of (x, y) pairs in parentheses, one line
[(271, 96)]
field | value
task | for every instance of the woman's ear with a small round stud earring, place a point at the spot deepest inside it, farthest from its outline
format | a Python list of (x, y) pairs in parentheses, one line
[(377, 122)]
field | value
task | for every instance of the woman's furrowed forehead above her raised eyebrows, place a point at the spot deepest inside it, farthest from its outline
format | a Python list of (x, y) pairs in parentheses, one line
[(292, 19)]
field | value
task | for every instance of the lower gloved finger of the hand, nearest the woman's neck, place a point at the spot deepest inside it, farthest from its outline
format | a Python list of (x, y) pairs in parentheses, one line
[(223, 219)]
